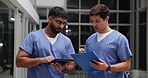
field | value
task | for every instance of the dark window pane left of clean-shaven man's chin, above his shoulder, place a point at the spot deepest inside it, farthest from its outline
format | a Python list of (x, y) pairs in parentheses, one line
[(86, 31)]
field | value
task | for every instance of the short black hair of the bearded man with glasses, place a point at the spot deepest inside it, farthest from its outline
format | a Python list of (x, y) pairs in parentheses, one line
[(58, 12)]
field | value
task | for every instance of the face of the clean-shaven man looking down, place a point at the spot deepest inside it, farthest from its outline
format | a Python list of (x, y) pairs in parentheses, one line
[(99, 24)]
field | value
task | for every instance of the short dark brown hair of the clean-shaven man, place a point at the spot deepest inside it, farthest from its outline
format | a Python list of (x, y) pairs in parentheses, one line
[(101, 10)]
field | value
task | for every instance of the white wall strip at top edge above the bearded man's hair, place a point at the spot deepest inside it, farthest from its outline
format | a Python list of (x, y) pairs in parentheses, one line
[(51, 3)]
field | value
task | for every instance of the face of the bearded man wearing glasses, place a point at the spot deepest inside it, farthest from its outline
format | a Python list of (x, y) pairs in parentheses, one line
[(57, 25)]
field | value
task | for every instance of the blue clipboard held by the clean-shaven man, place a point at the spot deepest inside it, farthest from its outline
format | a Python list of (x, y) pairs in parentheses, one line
[(83, 59)]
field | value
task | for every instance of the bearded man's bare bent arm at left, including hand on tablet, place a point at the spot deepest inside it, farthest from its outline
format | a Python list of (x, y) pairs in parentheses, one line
[(23, 60)]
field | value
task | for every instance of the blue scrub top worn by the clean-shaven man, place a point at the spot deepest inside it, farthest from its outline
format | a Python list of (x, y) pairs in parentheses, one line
[(113, 49)]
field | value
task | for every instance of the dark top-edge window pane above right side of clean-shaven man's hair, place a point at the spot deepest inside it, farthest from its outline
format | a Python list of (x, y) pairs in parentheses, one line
[(112, 4)]
